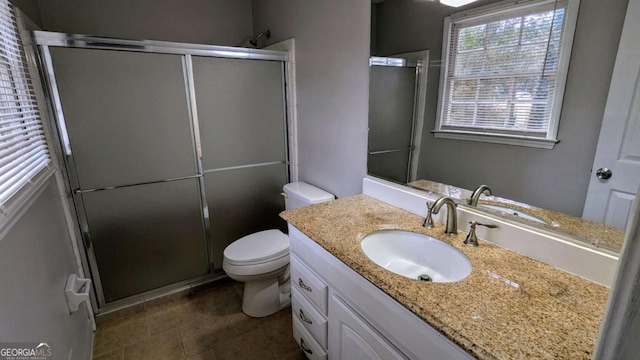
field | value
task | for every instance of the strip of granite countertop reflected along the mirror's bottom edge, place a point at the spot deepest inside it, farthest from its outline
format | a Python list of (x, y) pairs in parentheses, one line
[(586, 231)]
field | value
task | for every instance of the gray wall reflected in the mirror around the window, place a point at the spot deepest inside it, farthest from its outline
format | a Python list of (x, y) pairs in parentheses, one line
[(555, 179)]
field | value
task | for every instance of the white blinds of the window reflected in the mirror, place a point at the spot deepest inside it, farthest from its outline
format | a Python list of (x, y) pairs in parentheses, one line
[(502, 69)]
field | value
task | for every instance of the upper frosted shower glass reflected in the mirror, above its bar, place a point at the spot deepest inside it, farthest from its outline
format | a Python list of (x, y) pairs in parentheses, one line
[(391, 98)]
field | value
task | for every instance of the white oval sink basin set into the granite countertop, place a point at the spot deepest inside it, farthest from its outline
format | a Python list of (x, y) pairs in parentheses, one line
[(414, 256)]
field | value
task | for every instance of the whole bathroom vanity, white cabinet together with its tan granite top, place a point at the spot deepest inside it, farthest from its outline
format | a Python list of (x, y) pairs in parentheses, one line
[(347, 307)]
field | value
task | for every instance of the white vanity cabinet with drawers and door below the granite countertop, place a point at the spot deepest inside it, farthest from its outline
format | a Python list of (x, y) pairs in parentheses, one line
[(338, 314)]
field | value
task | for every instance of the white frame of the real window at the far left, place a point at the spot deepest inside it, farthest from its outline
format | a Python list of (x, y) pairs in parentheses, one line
[(18, 204)]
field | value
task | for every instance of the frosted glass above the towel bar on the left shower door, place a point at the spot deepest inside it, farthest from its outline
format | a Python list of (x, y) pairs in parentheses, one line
[(126, 114)]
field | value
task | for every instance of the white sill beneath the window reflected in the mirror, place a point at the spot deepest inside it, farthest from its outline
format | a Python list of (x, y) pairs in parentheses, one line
[(540, 143)]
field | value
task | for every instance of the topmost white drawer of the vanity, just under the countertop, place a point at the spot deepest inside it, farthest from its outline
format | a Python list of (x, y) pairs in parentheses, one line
[(309, 284)]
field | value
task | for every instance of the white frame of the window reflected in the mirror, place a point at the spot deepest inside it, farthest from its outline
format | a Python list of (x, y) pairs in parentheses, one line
[(488, 12)]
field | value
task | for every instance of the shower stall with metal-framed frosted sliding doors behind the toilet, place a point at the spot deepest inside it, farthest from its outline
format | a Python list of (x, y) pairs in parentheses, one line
[(172, 151)]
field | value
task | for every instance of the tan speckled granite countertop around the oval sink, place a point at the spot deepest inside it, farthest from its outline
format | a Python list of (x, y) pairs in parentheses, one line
[(510, 307)]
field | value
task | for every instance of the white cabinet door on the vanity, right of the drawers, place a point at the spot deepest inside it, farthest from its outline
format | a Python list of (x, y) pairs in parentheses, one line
[(352, 338)]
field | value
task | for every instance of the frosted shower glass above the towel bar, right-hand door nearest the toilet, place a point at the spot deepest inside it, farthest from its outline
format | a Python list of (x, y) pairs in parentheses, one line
[(240, 111)]
